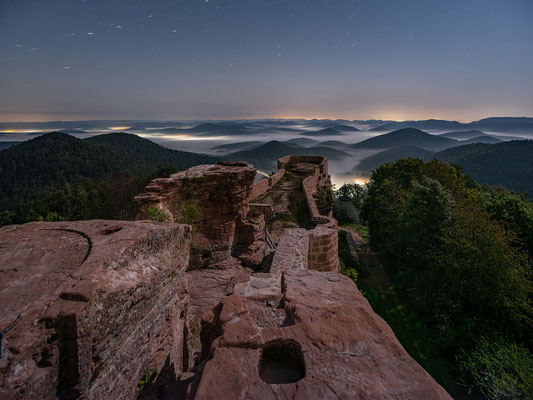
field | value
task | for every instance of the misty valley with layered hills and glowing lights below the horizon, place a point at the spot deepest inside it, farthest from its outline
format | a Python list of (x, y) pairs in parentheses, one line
[(354, 148)]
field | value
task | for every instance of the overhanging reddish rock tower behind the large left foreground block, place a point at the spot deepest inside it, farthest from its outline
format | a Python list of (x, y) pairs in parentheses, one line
[(214, 199)]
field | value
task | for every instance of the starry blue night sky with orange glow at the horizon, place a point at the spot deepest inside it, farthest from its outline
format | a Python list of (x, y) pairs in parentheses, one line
[(223, 59)]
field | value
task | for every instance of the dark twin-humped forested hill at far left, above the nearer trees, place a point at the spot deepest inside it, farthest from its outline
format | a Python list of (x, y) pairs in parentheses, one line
[(37, 168)]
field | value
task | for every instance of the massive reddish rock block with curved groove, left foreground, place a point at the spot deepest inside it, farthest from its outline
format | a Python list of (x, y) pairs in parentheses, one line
[(99, 302)]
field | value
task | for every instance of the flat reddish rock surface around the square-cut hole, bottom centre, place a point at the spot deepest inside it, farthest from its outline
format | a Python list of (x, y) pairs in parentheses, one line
[(347, 350)]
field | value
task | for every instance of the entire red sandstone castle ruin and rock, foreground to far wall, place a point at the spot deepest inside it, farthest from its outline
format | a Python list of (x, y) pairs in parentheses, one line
[(111, 308)]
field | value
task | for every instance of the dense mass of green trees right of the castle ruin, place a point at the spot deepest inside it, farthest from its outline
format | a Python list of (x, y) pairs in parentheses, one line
[(459, 259)]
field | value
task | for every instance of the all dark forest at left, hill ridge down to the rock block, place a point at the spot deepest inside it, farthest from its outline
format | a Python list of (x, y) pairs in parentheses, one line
[(59, 177)]
